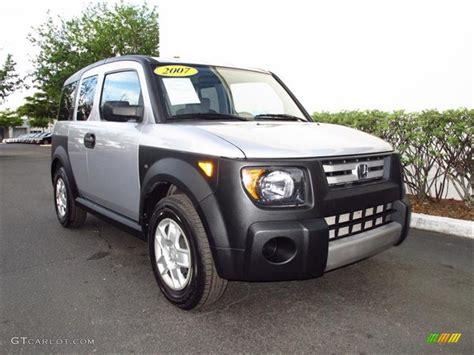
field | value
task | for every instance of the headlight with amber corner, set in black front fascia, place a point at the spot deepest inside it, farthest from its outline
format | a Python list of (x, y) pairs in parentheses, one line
[(274, 186)]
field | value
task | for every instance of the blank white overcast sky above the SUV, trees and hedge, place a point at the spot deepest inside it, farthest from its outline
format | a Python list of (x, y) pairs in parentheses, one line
[(334, 55)]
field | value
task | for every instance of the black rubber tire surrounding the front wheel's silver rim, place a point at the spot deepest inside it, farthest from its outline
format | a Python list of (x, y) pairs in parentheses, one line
[(205, 287)]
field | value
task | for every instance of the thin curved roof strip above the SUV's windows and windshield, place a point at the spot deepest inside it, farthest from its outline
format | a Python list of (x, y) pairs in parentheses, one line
[(150, 60)]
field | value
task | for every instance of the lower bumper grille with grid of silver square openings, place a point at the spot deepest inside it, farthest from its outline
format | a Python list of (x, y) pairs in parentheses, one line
[(347, 224)]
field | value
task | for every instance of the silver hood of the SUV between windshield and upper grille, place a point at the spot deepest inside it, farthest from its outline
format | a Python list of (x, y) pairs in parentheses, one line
[(295, 139)]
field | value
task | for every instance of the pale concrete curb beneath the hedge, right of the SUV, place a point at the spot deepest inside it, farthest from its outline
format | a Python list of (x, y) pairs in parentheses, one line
[(458, 227)]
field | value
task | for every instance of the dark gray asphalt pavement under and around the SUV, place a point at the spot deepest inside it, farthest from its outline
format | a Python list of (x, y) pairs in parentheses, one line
[(96, 284)]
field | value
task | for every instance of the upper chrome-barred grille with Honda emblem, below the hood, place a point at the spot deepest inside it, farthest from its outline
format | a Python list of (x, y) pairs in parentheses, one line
[(354, 170)]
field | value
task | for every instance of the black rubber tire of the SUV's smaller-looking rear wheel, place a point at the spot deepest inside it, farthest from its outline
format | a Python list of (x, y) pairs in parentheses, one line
[(73, 216)]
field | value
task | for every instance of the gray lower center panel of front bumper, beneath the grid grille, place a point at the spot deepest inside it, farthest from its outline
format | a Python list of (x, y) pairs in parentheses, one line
[(360, 246)]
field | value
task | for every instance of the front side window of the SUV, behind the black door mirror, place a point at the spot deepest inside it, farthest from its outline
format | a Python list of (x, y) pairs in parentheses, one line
[(121, 89)]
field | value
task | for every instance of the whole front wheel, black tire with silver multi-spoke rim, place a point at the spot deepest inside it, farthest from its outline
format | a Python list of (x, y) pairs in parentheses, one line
[(180, 255)]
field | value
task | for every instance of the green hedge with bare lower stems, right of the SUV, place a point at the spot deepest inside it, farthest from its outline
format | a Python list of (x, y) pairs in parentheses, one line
[(435, 147)]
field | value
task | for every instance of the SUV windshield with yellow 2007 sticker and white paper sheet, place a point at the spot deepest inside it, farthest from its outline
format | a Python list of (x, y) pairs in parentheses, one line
[(206, 92)]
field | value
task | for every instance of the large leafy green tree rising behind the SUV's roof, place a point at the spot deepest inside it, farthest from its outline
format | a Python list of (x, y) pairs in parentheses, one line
[(101, 31)]
